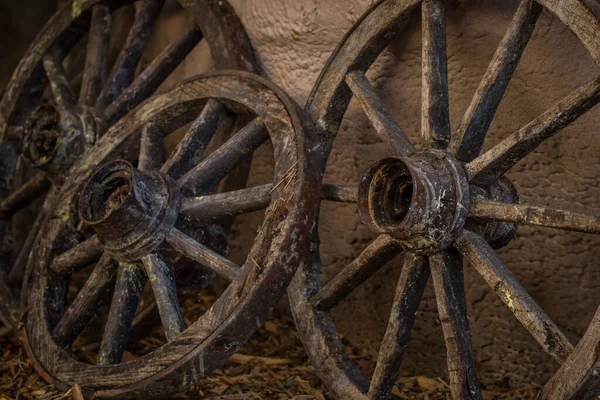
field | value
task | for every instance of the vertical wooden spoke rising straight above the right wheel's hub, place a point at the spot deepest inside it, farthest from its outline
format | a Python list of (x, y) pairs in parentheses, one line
[(435, 111)]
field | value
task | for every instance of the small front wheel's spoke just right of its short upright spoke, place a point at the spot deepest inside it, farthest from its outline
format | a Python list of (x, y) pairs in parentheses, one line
[(190, 150)]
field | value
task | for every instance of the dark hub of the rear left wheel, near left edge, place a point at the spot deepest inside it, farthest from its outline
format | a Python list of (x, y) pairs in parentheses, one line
[(55, 138)]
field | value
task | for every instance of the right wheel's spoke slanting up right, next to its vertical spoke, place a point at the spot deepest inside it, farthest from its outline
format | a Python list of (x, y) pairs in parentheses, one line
[(468, 140)]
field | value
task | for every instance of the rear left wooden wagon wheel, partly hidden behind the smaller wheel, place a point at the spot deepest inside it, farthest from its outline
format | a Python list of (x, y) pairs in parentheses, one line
[(52, 133)]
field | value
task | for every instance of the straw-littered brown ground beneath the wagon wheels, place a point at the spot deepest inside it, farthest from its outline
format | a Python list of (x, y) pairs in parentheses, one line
[(273, 365)]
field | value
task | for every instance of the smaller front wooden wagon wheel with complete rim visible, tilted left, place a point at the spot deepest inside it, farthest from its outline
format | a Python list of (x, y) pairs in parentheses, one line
[(139, 214)]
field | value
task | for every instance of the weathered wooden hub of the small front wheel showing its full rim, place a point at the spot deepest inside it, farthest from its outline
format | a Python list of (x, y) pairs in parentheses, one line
[(132, 211)]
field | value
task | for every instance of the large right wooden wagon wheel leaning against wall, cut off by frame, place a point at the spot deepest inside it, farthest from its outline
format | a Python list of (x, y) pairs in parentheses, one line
[(441, 203)]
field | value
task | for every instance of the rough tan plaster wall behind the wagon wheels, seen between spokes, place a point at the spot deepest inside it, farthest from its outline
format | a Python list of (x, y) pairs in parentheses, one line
[(293, 39)]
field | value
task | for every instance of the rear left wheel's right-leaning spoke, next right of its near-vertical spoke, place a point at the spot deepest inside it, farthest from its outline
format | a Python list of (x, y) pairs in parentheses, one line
[(124, 68)]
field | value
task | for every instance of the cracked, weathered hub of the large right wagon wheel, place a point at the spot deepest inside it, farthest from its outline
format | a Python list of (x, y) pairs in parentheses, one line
[(422, 200)]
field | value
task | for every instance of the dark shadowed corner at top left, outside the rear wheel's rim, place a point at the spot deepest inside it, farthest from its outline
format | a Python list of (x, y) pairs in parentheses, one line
[(20, 22)]
